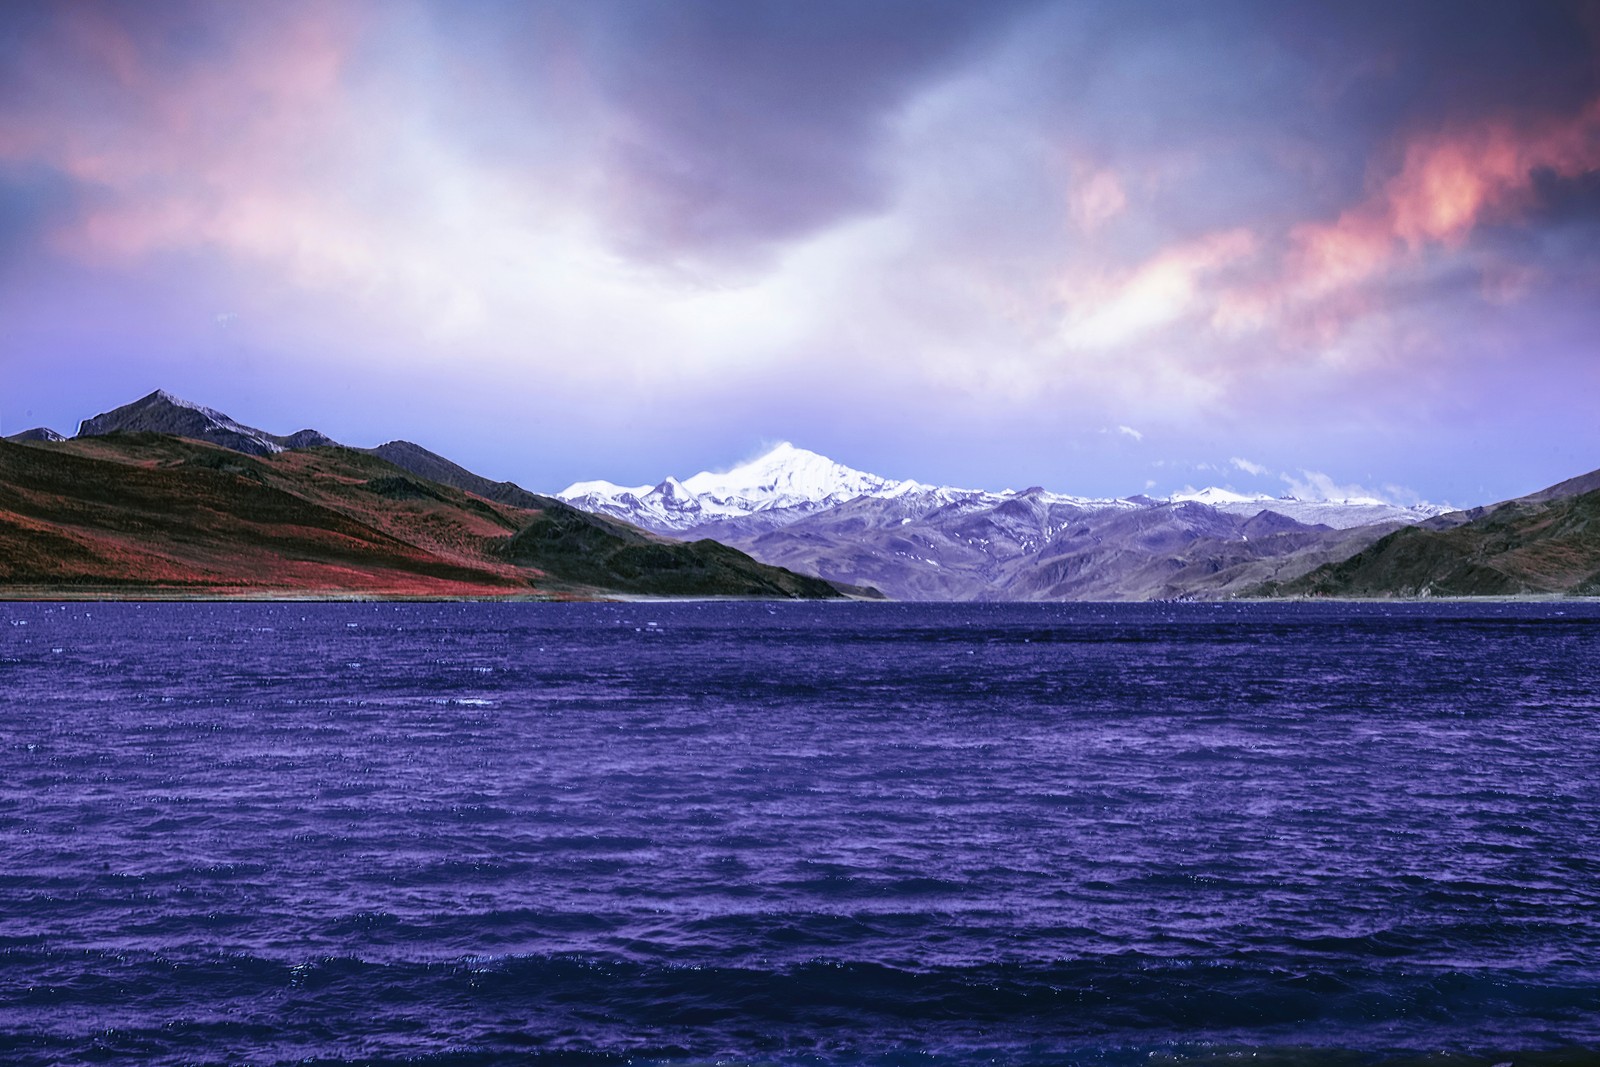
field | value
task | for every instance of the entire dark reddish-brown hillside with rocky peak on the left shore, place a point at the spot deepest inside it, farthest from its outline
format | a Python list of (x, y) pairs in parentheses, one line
[(169, 498)]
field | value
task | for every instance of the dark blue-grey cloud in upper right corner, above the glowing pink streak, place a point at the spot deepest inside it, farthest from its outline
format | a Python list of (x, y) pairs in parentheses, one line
[(1292, 110)]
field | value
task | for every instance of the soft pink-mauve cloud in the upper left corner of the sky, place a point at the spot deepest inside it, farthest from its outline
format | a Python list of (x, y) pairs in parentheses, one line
[(170, 148)]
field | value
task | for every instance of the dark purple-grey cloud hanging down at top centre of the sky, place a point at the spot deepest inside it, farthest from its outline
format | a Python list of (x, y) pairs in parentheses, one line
[(735, 126)]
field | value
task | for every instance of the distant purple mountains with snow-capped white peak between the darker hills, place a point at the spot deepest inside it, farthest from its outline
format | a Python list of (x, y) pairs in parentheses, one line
[(798, 510)]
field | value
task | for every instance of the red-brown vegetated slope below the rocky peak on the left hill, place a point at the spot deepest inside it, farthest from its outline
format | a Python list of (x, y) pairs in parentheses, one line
[(191, 518)]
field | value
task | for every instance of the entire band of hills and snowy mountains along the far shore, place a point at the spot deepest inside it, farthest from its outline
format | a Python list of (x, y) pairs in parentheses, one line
[(174, 500)]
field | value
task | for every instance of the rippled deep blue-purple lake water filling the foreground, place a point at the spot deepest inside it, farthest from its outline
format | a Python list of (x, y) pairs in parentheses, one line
[(812, 834)]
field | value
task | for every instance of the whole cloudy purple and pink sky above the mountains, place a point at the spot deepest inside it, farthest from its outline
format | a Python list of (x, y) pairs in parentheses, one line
[(1106, 249)]
